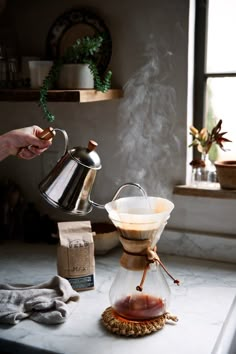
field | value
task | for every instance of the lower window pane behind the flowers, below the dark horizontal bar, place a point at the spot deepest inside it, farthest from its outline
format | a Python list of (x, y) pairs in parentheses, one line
[(221, 104)]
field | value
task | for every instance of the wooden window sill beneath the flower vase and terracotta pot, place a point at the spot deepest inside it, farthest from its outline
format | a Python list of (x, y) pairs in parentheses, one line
[(216, 192)]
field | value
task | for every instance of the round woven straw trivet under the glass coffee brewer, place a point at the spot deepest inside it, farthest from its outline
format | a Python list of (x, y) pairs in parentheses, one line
[(121, 326)]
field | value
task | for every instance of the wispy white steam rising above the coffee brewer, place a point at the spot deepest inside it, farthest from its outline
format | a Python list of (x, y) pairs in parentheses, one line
[(146, 126)]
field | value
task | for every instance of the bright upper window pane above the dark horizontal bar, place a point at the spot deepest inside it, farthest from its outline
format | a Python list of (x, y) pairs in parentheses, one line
[(221, 48)]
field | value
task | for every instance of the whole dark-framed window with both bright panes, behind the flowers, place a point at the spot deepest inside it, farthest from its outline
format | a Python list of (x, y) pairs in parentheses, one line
[(215, 70)]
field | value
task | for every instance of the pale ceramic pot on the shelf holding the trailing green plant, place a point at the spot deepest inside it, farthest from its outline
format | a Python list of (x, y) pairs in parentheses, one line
[(75, 76)]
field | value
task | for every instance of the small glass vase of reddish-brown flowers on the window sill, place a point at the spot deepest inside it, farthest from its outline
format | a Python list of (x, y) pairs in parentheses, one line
[(203, 169)]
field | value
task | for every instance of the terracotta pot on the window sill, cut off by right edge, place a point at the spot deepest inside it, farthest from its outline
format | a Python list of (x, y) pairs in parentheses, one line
[(226, 173)]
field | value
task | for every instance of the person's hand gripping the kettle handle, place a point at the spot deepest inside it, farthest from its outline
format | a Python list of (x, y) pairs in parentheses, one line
[(23, 142)]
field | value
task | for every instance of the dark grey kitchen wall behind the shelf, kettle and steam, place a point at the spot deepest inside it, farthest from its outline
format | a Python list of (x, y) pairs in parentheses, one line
[(141, 137)]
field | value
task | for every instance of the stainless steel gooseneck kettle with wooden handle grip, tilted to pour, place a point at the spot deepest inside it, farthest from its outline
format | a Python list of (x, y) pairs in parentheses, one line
[(69, 184)]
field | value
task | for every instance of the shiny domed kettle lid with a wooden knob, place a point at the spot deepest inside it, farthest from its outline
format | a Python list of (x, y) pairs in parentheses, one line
[(87, 156)]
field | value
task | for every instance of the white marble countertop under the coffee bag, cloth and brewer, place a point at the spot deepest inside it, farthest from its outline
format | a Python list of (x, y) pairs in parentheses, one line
[(202, 303)]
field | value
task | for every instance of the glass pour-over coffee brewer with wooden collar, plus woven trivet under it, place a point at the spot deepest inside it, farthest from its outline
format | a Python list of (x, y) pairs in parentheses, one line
[(140, 294)]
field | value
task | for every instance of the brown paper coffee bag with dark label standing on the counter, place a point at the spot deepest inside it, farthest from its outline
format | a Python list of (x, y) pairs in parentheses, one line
[(75, 254)]
